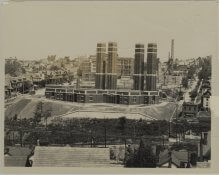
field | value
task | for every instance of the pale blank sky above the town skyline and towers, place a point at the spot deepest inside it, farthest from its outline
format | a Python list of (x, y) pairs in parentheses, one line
[(36, 29)]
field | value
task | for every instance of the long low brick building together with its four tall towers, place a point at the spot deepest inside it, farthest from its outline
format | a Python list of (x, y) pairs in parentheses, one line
[(143, 92)]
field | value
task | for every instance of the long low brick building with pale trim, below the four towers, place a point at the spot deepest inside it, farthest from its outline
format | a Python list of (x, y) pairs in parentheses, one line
[(128, 97)]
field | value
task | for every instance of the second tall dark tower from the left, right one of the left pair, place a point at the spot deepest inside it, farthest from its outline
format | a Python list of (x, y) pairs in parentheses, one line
[(111, 75)]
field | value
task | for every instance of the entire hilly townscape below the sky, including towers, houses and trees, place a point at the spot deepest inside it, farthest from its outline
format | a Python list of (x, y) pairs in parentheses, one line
[(108, 110)]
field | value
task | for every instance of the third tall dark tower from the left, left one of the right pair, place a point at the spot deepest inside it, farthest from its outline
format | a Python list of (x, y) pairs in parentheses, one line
[(138, 75)]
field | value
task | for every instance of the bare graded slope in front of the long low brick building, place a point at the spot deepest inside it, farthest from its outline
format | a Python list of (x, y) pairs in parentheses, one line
[(25, 108)]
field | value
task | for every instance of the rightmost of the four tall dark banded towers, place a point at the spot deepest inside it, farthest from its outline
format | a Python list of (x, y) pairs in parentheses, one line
[(151, 76)]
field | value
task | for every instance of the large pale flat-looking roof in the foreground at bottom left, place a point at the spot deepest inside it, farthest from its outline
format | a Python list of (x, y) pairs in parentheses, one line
[(71, 157)]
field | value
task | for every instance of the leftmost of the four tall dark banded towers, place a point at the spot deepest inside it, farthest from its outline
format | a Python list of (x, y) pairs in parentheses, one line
[(100, 66)]
